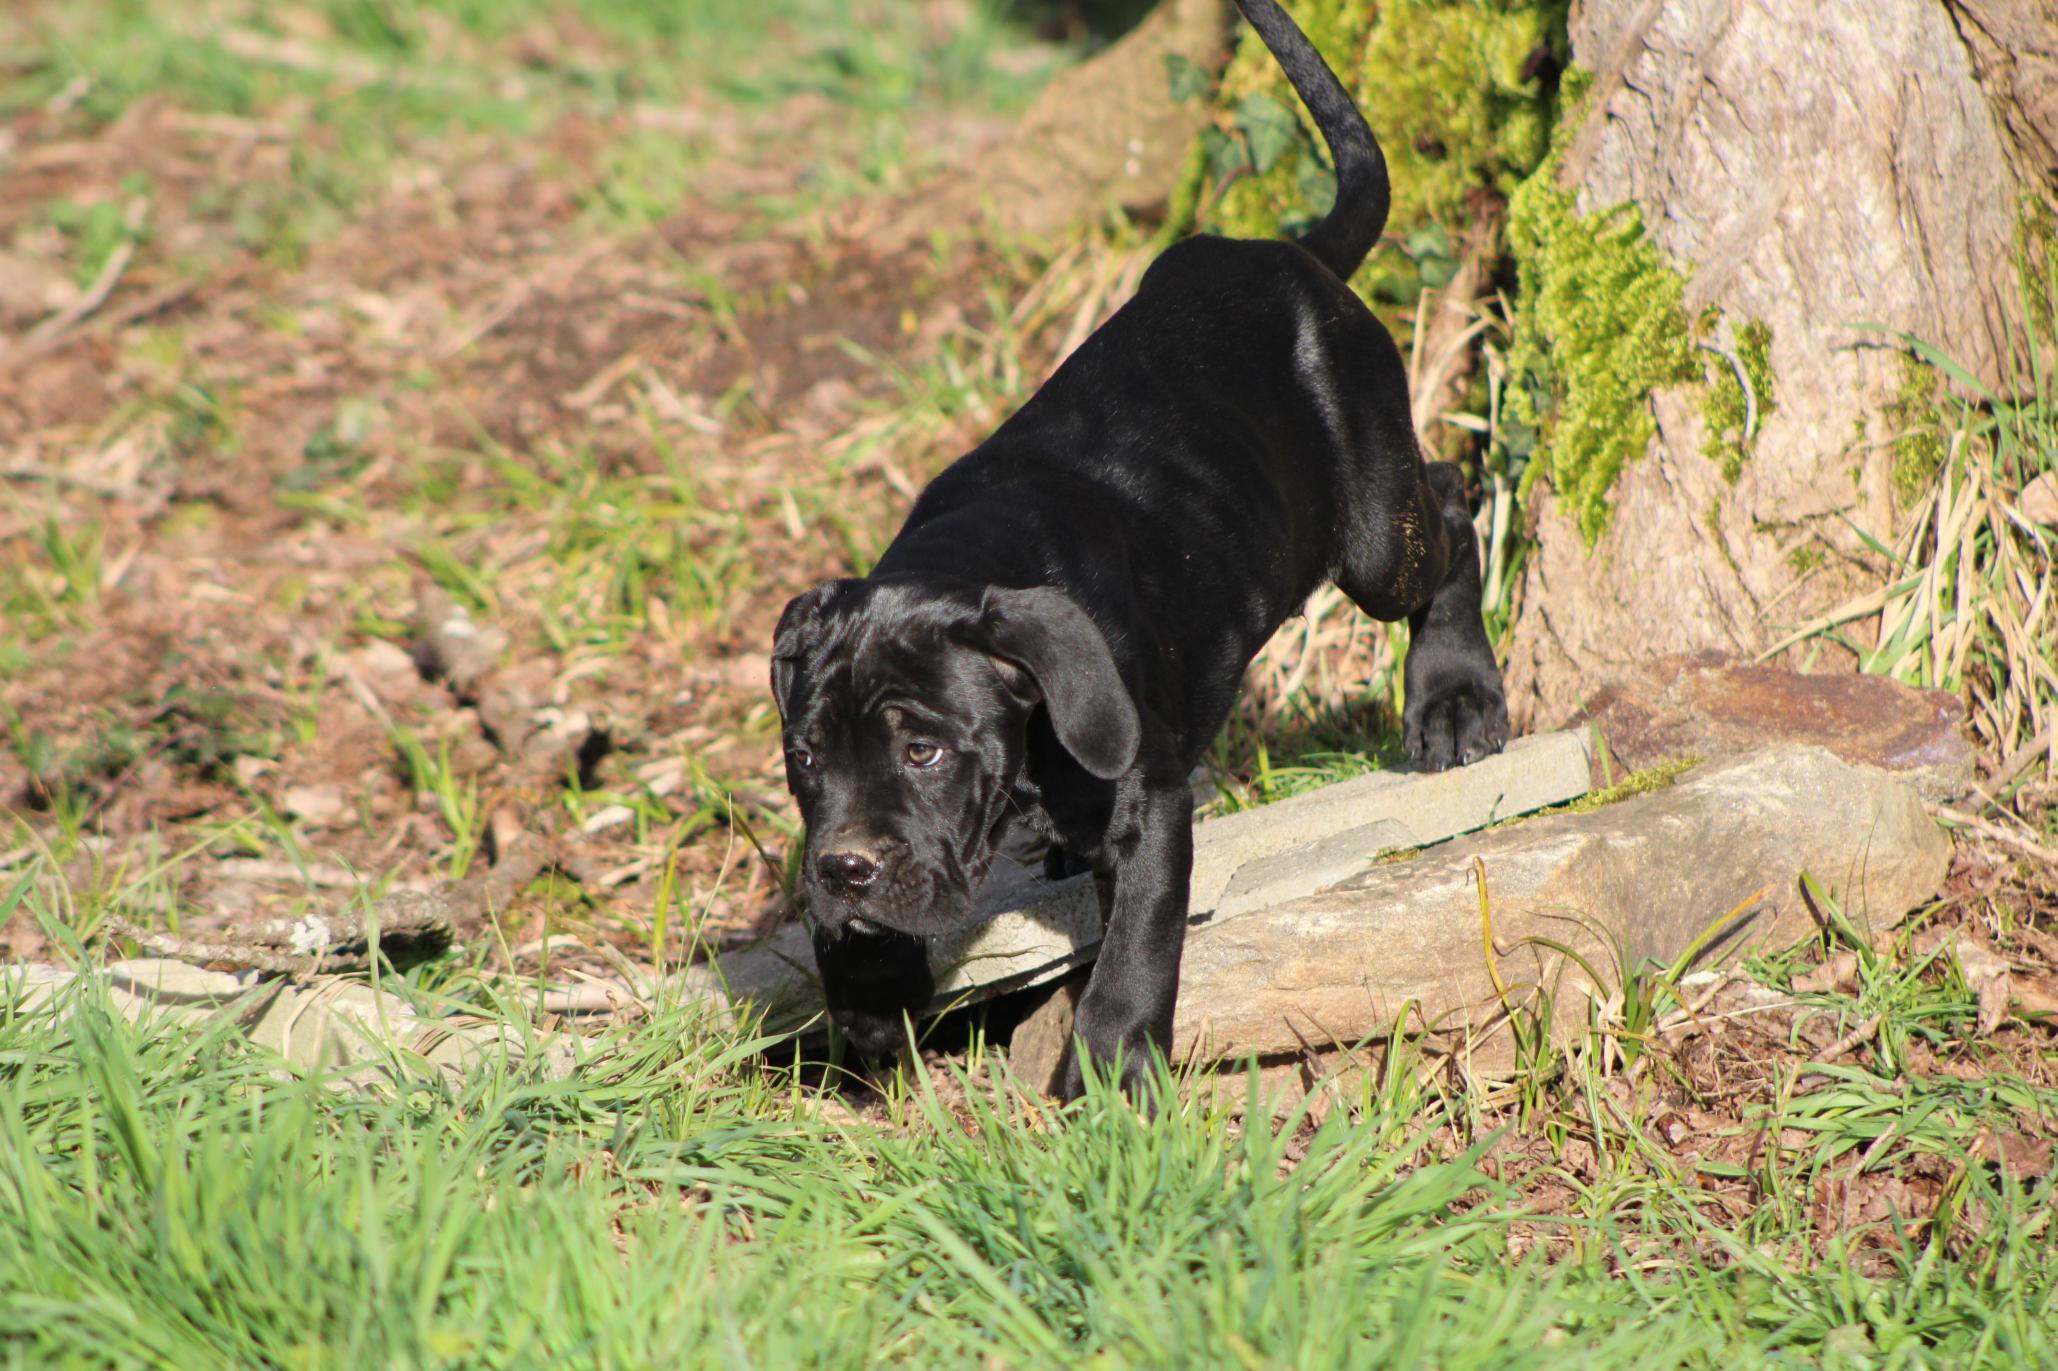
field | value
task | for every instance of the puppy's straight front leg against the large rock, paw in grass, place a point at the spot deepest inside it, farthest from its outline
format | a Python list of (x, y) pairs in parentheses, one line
[(1143, 872)]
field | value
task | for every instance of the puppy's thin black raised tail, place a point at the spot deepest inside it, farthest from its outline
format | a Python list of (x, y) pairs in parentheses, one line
[(1359, 215)]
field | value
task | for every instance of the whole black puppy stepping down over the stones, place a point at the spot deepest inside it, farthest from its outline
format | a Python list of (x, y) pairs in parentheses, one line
[(1063, 623)]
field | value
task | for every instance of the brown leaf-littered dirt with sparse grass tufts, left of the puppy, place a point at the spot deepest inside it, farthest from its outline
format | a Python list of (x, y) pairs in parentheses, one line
[(614, 454)]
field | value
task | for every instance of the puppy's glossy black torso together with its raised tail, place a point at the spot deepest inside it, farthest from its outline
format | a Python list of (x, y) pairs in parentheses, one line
[(1213, 452)]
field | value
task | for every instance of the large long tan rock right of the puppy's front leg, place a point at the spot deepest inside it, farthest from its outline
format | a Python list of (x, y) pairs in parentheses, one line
[(1403, 946)]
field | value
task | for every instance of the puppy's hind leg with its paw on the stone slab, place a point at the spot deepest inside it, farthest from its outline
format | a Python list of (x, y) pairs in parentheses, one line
[(1427, 569)]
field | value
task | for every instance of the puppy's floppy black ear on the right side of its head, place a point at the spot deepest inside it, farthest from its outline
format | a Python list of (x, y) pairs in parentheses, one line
[(1051, 637)]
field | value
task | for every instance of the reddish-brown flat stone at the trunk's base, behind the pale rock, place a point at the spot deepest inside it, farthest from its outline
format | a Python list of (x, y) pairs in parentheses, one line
[(1707, 705)]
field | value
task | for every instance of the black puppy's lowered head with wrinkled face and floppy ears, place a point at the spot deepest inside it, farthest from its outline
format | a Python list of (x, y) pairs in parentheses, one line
[(907, 707)]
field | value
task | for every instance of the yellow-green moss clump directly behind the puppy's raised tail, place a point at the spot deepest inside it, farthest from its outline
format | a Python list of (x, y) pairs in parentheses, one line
[(1460, 94)]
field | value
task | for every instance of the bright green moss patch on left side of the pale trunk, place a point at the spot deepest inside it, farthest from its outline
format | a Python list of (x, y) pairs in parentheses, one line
[(1600, 326)]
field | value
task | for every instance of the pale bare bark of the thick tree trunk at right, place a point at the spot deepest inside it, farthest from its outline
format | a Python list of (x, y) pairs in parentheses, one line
[(1816, 168)]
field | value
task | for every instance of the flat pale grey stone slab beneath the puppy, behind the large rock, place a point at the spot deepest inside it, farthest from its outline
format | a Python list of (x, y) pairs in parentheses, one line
[(1026, 931)]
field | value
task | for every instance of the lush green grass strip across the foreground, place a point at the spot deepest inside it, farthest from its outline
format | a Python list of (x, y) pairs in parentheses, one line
[(170, 1199)]
